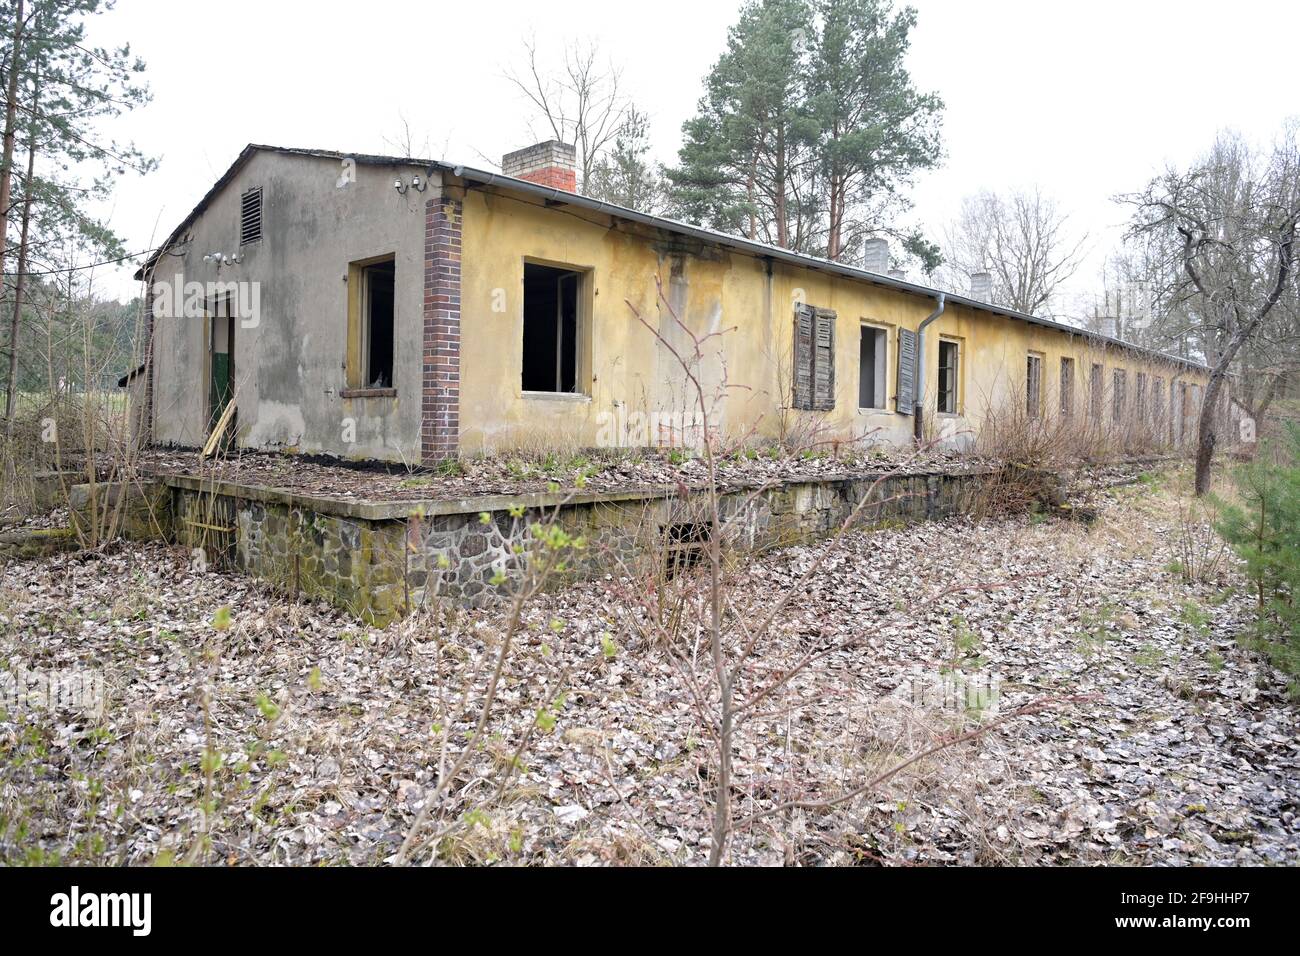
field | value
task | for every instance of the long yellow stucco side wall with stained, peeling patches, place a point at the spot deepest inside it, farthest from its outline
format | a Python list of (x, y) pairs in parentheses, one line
[(746, 306)]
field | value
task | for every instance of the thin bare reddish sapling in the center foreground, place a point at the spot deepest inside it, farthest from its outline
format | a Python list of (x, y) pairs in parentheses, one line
[(721, 639)]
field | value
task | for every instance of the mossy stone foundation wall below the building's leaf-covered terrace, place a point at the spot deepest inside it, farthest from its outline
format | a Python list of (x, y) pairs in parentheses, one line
[(379, 560)]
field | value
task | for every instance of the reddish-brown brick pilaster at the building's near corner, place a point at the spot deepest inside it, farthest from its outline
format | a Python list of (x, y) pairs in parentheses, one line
[(440, 406)]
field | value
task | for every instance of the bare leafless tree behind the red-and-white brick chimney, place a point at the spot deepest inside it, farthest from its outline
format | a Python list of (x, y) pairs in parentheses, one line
[(580, 102)]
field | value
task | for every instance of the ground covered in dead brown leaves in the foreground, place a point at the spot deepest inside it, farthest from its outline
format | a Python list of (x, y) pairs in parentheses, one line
[(288, 734)]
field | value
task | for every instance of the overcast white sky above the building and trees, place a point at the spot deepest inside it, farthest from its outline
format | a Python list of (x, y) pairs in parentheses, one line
[(1085, 101)]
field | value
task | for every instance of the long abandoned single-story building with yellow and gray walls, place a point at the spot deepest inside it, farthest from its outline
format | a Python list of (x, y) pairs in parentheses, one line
[(400, 310)]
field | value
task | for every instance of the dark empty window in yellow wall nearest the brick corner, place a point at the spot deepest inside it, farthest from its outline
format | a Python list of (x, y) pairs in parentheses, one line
[(551, 328)]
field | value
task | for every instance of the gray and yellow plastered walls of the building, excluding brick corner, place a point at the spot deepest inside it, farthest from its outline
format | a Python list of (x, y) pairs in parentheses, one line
[(291, 366)]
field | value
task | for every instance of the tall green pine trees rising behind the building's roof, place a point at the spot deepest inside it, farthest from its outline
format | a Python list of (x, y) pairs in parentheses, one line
[(809, 129)]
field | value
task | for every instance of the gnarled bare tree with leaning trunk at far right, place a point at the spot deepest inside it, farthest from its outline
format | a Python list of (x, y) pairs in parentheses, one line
[(1232, 223)]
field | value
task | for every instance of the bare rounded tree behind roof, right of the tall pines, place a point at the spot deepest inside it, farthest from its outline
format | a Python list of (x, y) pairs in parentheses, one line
[(1022, 240)]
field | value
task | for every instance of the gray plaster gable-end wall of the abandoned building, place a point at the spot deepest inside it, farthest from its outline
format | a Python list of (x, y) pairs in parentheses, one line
[(291, 366)]
